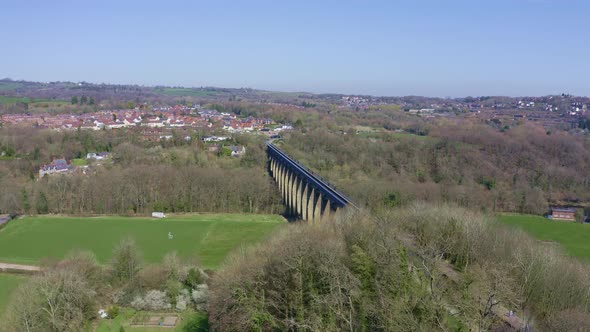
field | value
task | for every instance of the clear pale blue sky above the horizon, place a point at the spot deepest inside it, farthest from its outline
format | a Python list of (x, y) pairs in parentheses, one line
[(412, 47)]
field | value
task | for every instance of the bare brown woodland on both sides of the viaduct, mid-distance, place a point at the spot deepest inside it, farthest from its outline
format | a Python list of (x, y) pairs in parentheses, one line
[(380, 157)]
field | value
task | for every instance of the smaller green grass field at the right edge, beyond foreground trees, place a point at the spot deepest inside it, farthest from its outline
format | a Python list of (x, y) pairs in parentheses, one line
[(572, 236)]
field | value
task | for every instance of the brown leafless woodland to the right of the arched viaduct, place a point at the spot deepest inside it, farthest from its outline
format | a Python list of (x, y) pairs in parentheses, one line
[(524, 169)]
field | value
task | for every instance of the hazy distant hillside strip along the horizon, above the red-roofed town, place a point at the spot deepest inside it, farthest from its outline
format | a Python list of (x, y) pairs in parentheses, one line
[(17, 96)]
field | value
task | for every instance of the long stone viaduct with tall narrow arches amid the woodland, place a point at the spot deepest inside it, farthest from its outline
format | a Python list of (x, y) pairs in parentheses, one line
[(306, 195)]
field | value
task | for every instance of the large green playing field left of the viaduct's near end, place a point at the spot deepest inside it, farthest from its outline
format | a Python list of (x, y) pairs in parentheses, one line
[(209, 237)]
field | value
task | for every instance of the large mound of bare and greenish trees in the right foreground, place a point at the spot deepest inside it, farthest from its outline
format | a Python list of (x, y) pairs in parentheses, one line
[(419, 268)]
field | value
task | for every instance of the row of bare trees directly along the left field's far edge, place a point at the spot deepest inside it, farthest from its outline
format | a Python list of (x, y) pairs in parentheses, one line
[(143, 189)]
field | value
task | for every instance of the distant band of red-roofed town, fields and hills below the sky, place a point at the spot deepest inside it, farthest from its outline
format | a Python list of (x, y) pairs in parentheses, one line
[(72, 105)]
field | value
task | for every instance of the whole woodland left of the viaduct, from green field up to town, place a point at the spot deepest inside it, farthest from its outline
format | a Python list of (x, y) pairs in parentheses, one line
[(140, 177)]
